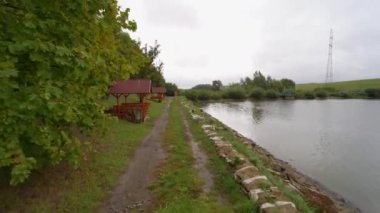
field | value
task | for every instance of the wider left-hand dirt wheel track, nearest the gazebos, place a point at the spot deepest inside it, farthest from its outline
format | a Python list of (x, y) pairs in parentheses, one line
[(132, 193)]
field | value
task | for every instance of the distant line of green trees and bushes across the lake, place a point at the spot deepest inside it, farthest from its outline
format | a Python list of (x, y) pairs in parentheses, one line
[(260, 87)]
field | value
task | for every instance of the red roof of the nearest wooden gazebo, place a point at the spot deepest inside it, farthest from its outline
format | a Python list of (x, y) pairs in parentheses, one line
[(133, 86)]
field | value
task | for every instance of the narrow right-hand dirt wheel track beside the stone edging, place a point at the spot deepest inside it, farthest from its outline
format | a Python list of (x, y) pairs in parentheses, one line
[(200, 159)]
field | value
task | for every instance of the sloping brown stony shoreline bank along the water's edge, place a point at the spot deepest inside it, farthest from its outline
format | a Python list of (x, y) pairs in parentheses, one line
[(315, 192)]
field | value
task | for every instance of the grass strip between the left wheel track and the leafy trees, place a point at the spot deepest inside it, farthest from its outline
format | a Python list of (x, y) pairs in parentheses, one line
[(64, 189)]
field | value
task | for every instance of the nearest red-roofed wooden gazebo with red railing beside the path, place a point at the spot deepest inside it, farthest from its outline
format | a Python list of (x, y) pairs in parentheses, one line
[(135, 112)]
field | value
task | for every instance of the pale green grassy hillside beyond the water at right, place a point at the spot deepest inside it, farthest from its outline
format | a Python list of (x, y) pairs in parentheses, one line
[(343, 85)]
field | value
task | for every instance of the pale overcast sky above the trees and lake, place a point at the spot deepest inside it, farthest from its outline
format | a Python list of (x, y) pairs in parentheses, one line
[(205, 40)]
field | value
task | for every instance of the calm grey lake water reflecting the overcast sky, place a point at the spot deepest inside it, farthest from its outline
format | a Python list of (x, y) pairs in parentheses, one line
[(337, 142)]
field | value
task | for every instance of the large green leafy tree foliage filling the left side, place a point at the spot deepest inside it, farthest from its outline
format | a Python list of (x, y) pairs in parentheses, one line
[(56, 60)]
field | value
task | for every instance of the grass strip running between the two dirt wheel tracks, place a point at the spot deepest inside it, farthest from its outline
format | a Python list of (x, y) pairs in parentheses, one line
[(178, 187)]
